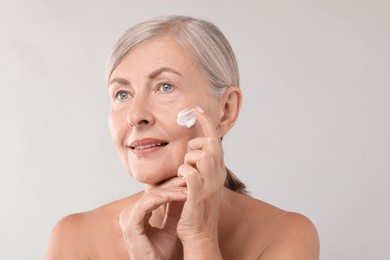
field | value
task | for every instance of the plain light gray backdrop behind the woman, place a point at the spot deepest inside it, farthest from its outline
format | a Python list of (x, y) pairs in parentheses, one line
[(313, 135)]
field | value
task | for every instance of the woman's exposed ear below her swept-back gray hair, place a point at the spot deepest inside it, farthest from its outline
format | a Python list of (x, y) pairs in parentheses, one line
[(230, 107)]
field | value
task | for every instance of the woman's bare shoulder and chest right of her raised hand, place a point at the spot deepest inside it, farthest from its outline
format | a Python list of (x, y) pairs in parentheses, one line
[(270, 232)]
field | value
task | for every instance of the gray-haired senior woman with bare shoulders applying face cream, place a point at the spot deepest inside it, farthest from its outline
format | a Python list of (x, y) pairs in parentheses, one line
[(192, 206)]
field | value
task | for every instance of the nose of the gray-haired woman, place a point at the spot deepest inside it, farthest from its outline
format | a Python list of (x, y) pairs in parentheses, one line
[(140, 113)]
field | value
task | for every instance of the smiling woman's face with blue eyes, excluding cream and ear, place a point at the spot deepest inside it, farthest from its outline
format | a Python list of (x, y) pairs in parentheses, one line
[(147, 90)]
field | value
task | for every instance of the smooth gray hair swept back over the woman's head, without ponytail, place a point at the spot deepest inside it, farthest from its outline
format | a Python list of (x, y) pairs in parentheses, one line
[(208, 47)]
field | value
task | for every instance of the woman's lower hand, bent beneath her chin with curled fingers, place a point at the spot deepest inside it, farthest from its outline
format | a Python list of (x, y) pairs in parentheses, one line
[(144, 241)]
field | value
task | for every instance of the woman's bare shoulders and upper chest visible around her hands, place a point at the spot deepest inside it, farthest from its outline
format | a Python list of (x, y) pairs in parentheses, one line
[(250, 229)]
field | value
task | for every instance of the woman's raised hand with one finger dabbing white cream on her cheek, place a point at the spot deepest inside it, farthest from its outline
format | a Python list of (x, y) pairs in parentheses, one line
[(205, 174)]
